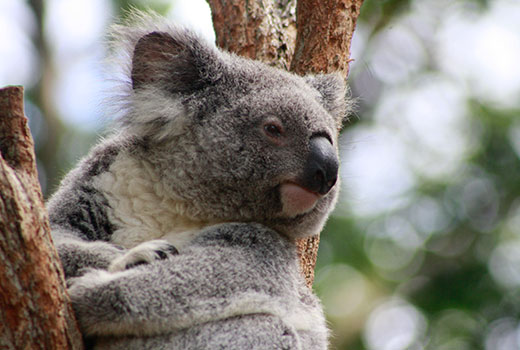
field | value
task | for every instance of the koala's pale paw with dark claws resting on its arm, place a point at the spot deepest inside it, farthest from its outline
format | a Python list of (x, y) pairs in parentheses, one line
[(144, 253)]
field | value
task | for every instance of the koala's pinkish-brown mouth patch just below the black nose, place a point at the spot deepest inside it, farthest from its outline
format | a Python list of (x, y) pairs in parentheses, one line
[(297, 200)]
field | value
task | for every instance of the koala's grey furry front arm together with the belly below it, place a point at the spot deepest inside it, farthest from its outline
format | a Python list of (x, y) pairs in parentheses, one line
[(222, 280)]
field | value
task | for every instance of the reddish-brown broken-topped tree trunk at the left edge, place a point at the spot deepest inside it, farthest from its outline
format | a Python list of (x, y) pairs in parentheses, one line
[(35, 312)]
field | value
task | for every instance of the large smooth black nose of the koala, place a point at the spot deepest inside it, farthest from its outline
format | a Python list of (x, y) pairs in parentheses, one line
[(321, 170)]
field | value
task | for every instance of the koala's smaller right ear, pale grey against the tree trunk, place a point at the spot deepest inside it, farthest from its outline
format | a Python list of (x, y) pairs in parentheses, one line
[(333, 94)]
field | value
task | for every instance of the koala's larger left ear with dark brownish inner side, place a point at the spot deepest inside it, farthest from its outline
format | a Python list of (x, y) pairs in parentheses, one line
[(178, 62)]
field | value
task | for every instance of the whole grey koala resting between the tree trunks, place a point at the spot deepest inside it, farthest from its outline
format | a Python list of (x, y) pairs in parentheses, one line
[(178, 230)]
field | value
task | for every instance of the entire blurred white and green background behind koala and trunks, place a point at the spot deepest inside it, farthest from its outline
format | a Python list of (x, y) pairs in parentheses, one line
[(423, 250)]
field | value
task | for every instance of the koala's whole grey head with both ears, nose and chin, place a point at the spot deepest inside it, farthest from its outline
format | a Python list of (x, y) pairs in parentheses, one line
[(234, 139)]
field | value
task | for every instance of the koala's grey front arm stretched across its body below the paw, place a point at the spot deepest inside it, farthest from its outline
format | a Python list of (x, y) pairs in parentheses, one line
[(235, 272)]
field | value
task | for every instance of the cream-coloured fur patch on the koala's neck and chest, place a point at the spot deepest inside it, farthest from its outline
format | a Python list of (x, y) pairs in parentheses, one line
[(142, 208)]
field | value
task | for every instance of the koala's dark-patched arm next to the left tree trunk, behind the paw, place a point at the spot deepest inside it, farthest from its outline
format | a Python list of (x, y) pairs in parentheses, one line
[(80, 226)]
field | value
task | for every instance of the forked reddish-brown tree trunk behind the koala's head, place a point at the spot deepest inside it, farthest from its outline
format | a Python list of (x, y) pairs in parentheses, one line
[(313, 36)]
